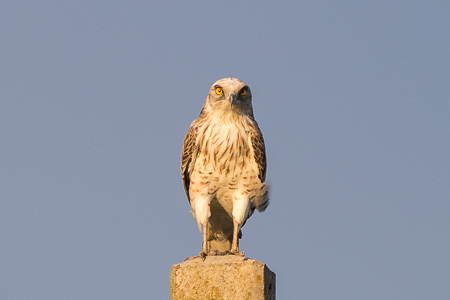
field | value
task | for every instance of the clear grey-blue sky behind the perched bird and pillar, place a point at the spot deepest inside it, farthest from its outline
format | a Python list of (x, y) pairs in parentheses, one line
[(353, 98)]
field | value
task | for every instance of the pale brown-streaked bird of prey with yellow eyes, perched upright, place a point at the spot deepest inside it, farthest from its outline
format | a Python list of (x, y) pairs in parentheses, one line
[(223, 166)]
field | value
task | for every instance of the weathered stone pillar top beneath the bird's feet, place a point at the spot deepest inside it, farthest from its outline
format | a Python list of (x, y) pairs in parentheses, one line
[(221, 278)]
